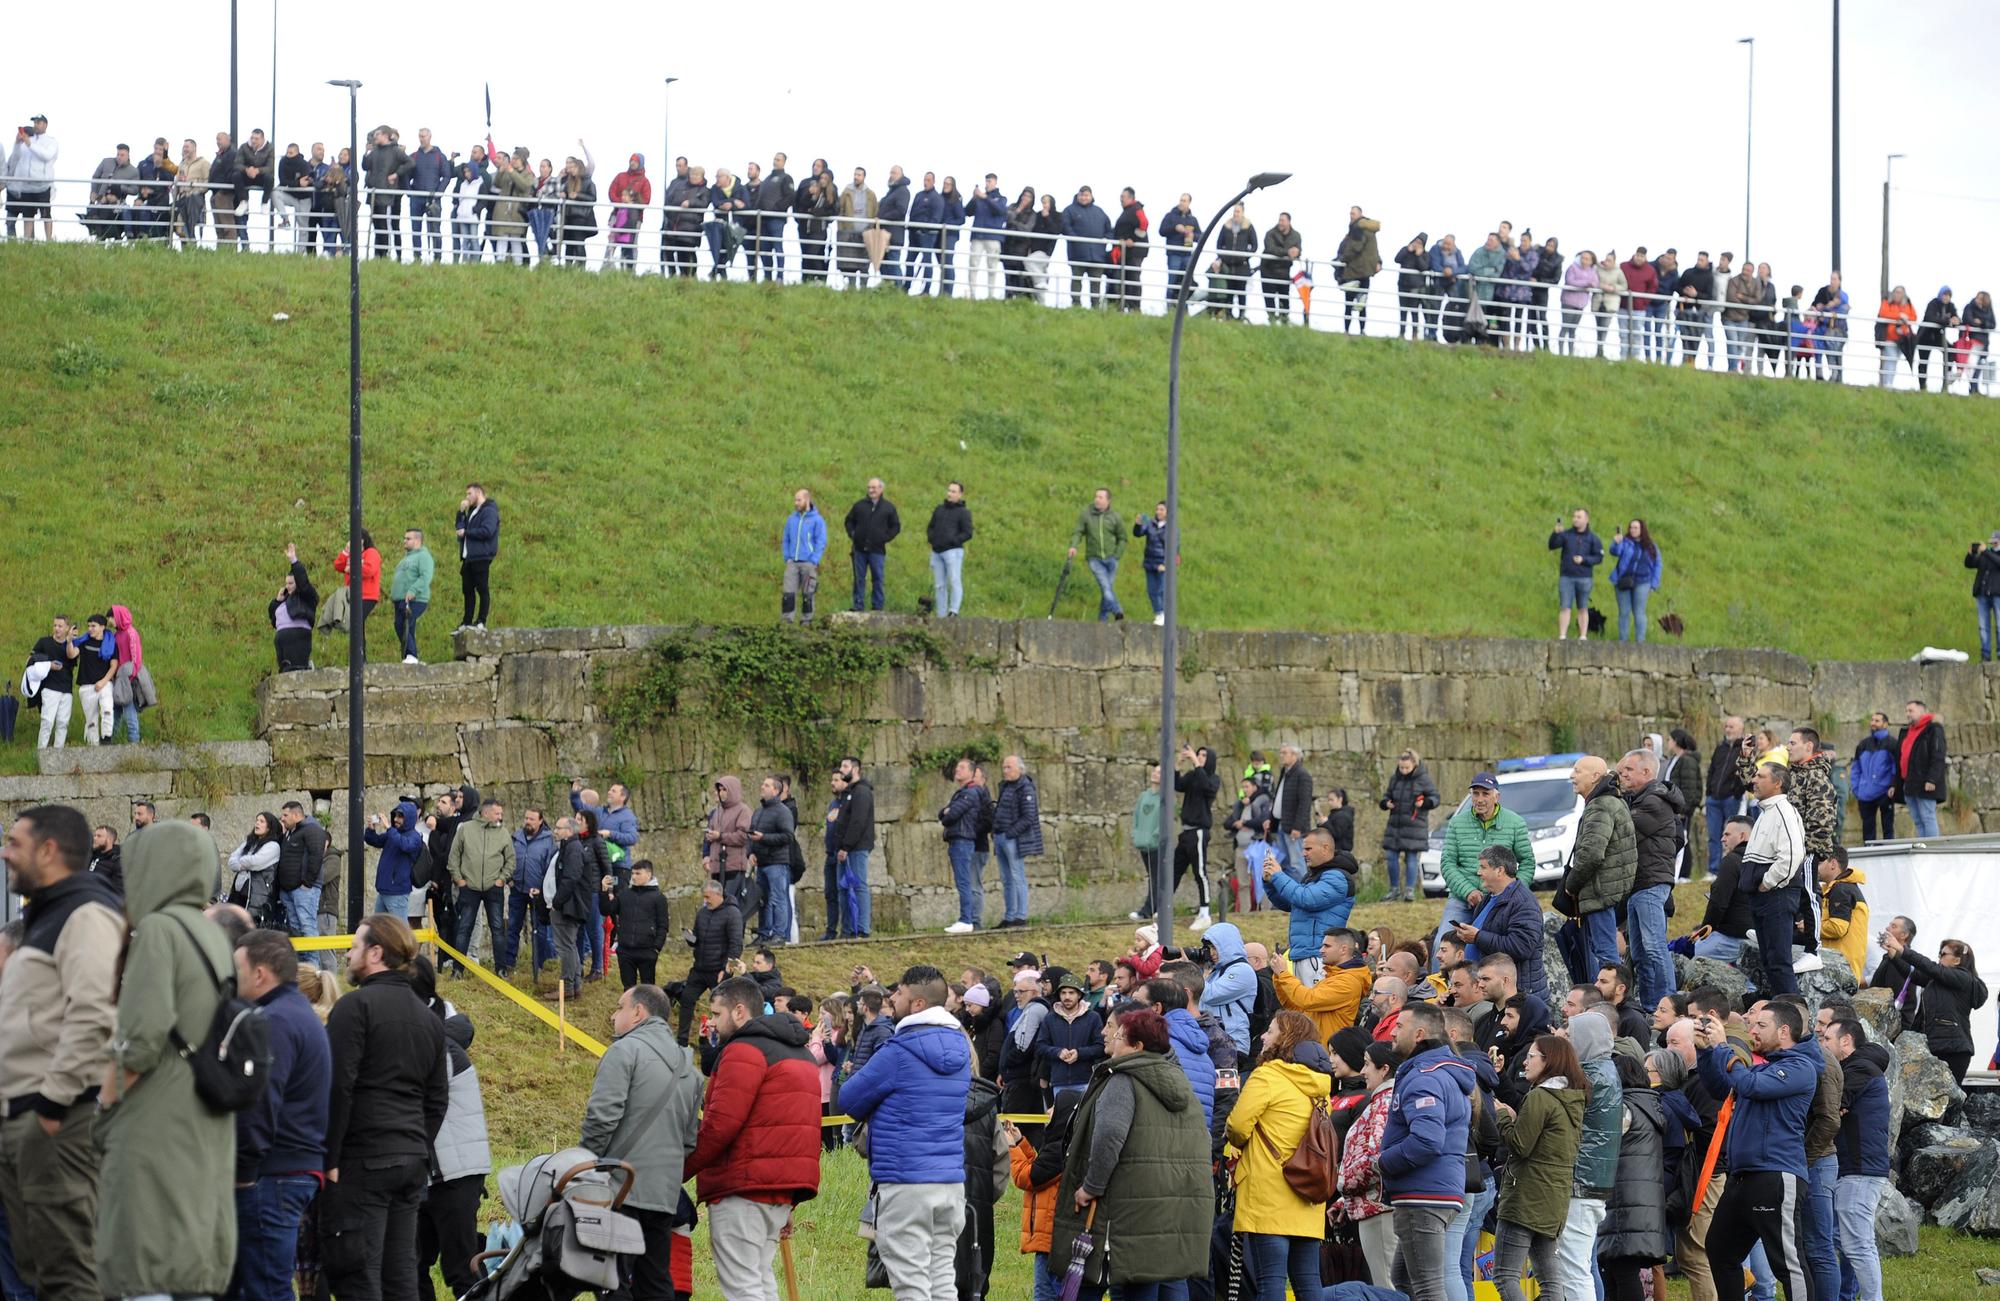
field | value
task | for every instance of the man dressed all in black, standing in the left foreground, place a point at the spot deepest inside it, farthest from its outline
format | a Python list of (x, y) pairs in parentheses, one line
[(387, 1104)]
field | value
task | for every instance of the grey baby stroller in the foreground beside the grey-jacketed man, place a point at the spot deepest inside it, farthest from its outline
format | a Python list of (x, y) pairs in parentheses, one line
[(573, 1236)]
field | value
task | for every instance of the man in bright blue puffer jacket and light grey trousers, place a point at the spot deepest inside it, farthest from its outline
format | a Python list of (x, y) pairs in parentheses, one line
[(913, 1098)]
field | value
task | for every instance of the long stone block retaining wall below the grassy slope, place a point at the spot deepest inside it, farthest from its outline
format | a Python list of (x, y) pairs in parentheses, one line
[(521, 712)]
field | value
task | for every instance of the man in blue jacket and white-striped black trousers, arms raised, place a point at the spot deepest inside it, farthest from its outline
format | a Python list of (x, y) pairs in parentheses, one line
[(1765, 1200)]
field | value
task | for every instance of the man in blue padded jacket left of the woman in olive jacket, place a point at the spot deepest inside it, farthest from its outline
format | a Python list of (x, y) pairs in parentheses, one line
[(1425, 1148)]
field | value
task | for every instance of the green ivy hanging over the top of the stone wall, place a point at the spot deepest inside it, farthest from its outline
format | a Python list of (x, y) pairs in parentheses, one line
[(795, 690)]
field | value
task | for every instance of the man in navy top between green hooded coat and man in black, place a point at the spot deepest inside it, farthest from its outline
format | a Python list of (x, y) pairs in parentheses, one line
[(281, 1140)]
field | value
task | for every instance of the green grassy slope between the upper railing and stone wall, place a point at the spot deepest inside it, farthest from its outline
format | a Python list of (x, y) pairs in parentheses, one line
[(167, 437)]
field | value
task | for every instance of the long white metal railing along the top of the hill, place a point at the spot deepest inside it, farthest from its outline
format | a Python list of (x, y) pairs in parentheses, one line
[(1777, 337)]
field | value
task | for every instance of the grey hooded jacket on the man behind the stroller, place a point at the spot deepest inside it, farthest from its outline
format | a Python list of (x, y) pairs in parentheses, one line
[(645, 1110)]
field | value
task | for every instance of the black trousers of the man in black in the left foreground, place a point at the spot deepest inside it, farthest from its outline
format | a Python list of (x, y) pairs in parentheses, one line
[(369, 1228)]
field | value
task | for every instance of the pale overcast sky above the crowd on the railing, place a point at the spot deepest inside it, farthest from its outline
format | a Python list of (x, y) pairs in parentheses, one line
[(1603, 125)]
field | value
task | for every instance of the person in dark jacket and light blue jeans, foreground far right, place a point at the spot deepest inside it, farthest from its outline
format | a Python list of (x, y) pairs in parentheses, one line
[(1865, 1154)]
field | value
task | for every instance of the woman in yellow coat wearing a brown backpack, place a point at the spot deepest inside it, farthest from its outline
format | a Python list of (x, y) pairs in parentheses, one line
[(1267, 1126)]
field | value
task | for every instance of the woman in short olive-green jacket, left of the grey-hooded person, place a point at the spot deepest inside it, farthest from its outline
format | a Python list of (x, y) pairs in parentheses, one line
[(1535, 1188)]
